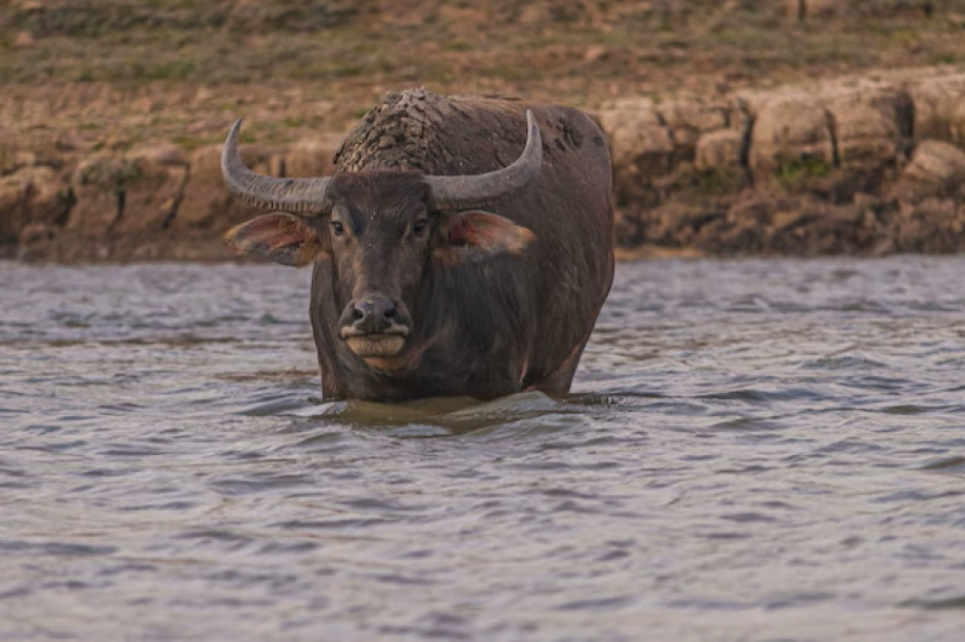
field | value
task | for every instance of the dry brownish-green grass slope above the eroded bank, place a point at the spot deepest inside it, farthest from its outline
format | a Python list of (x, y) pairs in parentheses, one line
[(181, 69)]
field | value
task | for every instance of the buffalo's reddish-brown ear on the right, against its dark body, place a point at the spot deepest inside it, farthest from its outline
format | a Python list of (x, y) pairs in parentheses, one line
[(474, 234)]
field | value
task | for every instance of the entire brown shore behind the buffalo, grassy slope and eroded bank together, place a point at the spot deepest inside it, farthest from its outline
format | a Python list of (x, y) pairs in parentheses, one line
[(737, 127)]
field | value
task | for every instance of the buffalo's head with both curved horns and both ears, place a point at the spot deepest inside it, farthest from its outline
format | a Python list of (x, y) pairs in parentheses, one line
[(380, 229)]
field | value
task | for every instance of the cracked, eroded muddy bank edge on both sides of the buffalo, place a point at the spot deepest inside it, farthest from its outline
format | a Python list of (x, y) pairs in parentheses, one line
[(848, 166)]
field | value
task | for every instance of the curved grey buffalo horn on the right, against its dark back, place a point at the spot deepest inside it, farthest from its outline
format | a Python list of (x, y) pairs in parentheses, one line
[(464, 192)]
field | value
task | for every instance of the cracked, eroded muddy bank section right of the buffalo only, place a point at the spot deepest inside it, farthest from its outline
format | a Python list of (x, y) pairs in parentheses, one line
[(851, 166)]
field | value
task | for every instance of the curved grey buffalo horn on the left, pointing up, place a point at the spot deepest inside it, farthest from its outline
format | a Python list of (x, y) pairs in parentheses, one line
[(287, 194)]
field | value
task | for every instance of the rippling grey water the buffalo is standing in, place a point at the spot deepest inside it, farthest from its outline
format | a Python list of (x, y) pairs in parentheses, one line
[(754, 450)]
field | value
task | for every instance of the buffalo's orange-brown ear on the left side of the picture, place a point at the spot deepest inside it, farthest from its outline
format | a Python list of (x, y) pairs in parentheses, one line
[(278, 236)]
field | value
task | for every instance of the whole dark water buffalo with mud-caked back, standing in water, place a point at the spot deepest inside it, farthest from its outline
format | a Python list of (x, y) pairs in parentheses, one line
[(463, 246)]
